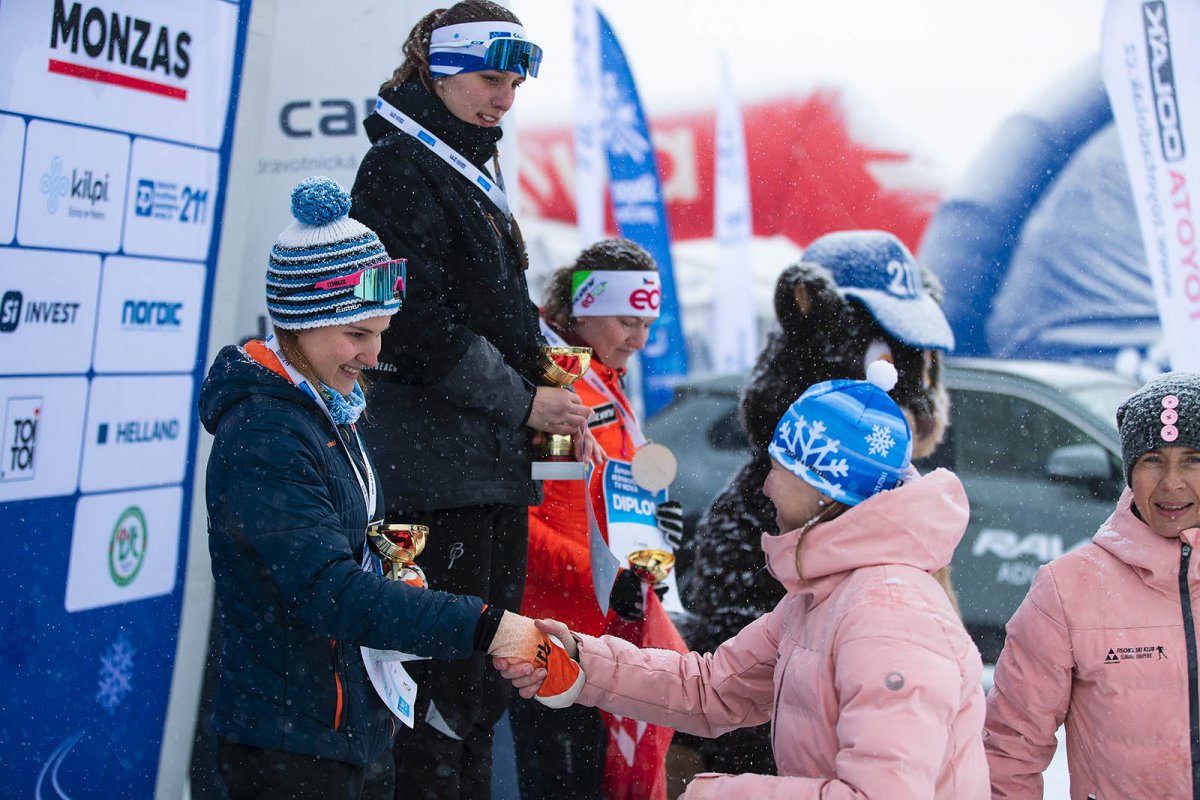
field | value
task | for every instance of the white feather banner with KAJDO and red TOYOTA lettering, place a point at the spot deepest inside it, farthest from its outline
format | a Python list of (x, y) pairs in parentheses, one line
[(1151, 69)]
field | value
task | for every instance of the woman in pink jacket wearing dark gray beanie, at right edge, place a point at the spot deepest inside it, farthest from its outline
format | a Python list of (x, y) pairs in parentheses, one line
[(1107, 639)]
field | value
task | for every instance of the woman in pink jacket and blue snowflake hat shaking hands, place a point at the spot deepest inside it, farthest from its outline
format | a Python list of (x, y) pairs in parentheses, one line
[(865, 669)]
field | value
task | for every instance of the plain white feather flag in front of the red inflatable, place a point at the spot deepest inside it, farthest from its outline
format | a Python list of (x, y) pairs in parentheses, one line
[(735, 333)]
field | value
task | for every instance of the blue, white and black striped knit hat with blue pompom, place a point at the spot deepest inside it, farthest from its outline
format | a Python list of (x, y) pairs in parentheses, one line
[(322, 244)]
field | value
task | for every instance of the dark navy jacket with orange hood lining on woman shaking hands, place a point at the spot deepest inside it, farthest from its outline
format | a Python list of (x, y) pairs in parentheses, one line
[(287, 527)]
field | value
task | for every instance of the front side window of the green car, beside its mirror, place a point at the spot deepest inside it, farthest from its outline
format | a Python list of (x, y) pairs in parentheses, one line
[(1000, 435)]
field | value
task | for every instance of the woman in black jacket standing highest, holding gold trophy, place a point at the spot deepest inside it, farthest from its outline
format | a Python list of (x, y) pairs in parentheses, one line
[(457, 399)]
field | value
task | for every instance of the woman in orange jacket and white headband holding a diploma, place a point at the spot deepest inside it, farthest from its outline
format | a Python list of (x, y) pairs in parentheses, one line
[(608, 300)]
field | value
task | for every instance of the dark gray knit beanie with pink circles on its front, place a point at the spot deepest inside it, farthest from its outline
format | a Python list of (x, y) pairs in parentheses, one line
[(1165, 413)]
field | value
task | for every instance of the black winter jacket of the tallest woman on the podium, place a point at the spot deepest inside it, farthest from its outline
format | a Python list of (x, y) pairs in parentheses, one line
[(459, 364)]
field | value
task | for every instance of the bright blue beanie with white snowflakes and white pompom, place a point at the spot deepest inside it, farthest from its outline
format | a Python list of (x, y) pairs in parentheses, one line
[(847, 438)]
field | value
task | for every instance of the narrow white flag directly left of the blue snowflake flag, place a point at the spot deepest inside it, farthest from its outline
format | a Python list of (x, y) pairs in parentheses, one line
[(591, 165)]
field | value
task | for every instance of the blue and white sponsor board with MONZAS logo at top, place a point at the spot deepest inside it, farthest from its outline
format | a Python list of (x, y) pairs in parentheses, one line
[(116, 128)]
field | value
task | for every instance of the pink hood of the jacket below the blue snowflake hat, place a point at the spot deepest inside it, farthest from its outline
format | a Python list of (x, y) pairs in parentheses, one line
[(917, 525)]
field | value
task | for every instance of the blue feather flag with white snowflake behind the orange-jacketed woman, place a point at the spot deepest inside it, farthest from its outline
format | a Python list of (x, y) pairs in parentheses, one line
[(638, 207)]
